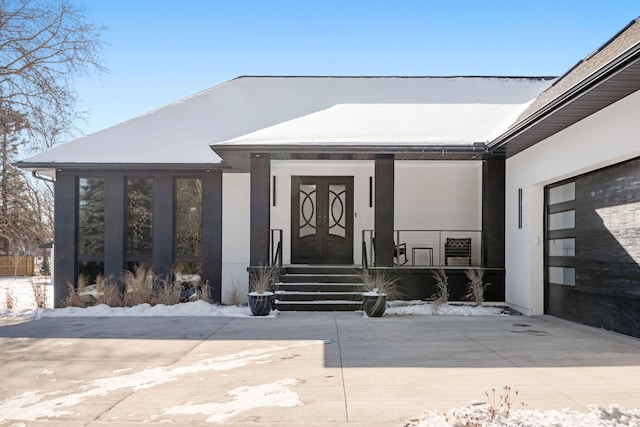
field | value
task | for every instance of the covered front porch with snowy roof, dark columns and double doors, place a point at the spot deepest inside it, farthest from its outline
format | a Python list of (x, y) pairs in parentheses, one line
[(356, 184)]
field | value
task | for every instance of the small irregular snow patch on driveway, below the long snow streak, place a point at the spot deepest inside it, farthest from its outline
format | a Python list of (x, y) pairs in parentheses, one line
[(245, 398)]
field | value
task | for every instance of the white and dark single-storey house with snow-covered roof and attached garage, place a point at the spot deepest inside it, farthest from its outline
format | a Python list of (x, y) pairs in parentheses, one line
[(534, 179)]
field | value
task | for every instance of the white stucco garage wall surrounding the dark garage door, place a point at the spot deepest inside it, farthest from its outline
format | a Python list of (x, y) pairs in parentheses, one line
[(607, 137)]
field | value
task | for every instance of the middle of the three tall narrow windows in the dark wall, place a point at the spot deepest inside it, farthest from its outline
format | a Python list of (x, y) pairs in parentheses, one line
[(139, 222)]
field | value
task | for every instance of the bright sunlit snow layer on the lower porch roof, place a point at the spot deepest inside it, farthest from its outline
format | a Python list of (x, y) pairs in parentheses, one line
[(407, 124)]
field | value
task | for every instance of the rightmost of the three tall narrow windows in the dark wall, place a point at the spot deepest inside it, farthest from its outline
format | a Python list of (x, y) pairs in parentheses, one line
[(188, 229)]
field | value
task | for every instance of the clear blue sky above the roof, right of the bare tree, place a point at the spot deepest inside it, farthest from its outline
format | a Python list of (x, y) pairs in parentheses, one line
[(160, 51)]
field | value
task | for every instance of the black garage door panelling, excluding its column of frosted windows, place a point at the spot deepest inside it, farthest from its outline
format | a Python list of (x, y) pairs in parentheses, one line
[(607, 289)]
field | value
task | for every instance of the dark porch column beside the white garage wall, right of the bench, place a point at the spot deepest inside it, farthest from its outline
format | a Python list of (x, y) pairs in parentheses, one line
[(493, 213)]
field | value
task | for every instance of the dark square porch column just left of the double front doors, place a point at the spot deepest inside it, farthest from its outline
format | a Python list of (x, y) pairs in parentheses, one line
[(260, 166)]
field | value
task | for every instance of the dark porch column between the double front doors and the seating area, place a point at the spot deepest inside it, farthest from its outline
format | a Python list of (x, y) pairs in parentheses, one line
[(384, 209)]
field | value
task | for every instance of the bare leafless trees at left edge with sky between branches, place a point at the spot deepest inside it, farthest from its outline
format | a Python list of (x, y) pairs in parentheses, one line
[(44, 46)]
